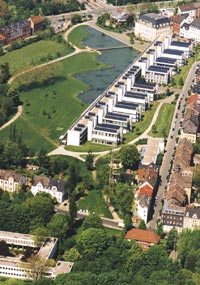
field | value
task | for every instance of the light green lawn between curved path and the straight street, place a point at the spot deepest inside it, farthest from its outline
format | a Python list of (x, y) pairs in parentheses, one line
[(164, 120)]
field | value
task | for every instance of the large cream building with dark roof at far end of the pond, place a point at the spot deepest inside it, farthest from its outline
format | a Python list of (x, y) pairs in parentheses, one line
[(150, 26)]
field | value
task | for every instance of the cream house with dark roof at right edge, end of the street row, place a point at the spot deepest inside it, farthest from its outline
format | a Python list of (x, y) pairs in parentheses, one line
[(192, 219)]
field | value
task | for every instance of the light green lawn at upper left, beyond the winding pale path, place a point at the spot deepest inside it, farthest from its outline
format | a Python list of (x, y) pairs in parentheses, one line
[(32, 54)]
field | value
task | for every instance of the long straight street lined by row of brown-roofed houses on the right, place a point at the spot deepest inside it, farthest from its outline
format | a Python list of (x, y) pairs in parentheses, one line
[(171, 143)]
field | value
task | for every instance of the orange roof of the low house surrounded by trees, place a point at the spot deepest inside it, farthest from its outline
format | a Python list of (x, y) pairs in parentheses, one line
[(143, 236)]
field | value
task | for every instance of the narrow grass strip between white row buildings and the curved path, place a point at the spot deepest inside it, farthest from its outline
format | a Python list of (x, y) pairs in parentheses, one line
[(141, 126)]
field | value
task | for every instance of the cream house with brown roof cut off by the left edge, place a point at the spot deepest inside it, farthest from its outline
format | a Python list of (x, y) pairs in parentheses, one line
[(11, 181)]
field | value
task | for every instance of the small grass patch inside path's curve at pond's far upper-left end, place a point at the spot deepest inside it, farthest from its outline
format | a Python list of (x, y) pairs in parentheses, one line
[(77, 36)]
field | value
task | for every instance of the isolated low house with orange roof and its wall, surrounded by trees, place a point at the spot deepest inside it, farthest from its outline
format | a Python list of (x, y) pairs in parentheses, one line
[(143, 237)]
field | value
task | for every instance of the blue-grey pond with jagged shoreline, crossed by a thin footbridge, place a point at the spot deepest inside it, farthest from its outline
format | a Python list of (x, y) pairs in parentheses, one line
[(117, 59)]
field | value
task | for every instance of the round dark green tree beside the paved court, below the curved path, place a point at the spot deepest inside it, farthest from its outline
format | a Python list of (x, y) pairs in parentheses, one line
[(130, 157)]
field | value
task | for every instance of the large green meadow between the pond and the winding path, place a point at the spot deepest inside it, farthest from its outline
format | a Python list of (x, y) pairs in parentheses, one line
[(49, 111)]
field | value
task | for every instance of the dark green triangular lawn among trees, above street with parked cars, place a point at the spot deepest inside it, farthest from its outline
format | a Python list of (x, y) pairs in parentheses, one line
[(94, 203)]
